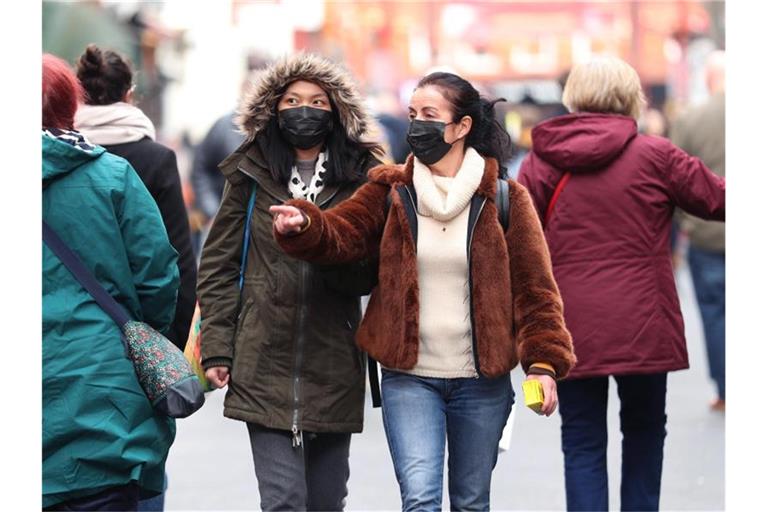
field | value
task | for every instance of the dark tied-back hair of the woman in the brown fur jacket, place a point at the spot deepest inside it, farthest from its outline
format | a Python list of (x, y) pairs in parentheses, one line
[(487, 136)]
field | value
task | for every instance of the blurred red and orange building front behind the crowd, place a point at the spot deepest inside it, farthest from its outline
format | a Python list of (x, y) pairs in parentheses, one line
[(387, 43)]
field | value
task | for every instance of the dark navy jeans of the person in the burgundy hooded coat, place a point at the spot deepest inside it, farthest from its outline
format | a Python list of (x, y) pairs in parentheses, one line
[(584, 434)]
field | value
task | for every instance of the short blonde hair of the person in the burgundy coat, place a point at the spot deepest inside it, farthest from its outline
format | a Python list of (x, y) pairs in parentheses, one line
[(604, 85)]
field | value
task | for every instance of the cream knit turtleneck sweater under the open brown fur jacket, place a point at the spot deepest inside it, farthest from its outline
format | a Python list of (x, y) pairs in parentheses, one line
[(445, 331)]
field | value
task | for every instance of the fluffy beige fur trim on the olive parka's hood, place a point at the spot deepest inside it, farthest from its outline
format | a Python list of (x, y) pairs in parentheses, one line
[(258, 104)]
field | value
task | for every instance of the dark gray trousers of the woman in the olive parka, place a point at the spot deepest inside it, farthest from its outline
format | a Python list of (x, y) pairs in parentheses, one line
[(310, 477)]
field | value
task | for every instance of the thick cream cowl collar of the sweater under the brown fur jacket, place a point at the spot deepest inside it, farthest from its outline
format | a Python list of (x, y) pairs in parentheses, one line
[(443, 198)]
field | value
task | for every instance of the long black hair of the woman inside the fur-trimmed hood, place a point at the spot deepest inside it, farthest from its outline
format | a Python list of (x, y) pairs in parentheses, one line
[(345, 155)]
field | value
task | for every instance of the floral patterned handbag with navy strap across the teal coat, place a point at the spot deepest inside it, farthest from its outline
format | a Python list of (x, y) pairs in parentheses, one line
[(164, 374)]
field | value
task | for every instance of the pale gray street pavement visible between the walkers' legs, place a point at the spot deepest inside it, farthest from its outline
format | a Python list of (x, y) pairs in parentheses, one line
[(210, 464)]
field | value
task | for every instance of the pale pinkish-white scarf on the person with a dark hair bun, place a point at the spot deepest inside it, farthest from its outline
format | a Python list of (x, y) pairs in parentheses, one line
[(116, 123)]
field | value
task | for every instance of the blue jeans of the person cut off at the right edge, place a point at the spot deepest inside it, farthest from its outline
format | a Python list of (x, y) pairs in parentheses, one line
[(708, 274)]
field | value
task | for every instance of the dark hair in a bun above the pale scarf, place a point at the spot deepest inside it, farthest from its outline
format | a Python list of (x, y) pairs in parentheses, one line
[(106, 76)]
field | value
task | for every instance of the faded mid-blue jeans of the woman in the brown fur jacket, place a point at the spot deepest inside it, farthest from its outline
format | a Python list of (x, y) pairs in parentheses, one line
[(421, 413)]
